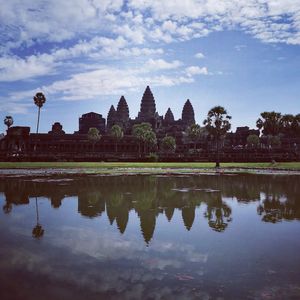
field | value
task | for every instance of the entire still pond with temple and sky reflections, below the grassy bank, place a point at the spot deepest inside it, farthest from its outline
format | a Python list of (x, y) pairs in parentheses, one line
[(150, 237)]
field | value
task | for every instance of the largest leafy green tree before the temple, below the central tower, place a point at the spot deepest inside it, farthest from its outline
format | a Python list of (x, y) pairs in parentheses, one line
[(145, 135)]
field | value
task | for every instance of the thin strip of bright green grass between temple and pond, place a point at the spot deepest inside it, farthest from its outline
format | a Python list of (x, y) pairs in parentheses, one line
[(113, 165)]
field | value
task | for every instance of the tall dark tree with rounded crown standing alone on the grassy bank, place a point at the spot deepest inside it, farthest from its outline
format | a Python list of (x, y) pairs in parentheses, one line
[(217, 124)]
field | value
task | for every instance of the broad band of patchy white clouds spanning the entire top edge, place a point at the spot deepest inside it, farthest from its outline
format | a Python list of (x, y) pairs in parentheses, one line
[(27, 23)]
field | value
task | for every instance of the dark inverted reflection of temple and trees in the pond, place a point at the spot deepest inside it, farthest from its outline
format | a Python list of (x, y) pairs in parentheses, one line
[(149, 196)]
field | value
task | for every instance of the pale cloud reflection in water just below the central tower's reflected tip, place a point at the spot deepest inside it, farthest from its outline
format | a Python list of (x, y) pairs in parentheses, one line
[(110, 246)]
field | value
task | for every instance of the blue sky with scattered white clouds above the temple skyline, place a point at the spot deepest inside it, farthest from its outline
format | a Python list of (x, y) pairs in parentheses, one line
[(85, 54)]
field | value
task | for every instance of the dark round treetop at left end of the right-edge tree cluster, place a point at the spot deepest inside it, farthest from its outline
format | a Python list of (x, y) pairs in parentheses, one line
[(269, 123)]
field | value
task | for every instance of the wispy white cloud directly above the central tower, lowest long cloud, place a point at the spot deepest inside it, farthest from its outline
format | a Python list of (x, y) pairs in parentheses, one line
[(108, 80)]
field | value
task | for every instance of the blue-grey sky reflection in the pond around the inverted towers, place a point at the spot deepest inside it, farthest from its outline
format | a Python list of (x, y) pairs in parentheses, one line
[(84, 257)]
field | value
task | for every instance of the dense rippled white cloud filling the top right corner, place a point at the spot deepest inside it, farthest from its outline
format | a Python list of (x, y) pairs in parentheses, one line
[(268, 20)]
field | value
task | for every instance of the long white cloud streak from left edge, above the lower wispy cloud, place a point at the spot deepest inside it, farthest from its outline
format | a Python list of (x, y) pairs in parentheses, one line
[(14, 68)]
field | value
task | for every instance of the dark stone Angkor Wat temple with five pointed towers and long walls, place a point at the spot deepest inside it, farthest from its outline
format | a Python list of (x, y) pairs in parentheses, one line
[(56, 145)]
